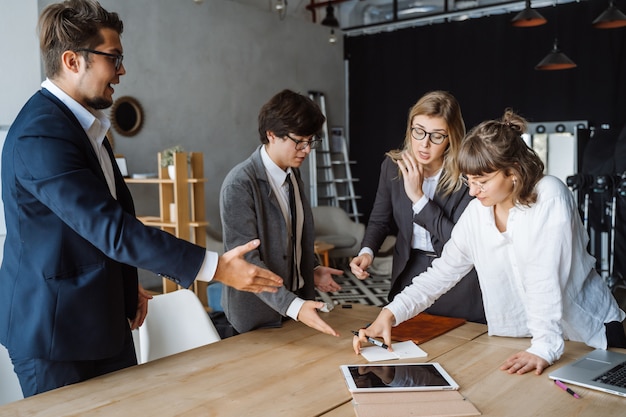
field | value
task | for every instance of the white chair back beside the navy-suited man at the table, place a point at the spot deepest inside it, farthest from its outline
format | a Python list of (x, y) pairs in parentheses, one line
[(176, 321)]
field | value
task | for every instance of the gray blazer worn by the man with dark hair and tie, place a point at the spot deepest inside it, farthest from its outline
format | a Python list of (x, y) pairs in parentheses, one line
[(250, 210)]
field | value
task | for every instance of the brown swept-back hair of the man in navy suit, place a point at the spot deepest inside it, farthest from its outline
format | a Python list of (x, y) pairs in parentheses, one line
[(71, 25)]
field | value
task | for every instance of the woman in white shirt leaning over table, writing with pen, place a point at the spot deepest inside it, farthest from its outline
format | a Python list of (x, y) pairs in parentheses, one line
[(524, 236)]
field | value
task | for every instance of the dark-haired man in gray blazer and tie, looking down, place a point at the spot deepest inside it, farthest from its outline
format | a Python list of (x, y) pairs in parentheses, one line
[(262, 197)]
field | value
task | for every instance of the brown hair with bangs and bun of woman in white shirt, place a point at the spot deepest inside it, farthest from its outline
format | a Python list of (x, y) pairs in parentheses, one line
[(496, 145)]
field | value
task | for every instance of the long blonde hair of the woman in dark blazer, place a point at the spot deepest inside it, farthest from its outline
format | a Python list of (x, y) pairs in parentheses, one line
[(444, 105)]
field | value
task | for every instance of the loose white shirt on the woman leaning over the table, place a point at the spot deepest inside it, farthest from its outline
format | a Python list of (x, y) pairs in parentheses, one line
[(537, 278)]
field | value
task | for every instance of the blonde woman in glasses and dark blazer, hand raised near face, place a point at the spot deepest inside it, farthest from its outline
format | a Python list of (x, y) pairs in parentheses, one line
[(419, 199)]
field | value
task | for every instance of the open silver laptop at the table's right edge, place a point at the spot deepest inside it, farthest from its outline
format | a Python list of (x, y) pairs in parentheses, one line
[(601, 370)]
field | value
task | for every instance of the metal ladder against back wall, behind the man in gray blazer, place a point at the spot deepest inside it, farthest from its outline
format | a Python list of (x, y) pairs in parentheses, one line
[(330, 171)]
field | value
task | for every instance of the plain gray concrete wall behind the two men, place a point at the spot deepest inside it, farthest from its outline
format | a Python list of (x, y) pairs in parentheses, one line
[(201, 73)]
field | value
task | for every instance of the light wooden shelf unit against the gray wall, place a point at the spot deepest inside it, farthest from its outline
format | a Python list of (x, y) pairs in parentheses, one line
[(186, 193)]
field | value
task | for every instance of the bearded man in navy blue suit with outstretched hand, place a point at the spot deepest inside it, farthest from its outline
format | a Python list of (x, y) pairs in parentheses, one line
[(69, 293)]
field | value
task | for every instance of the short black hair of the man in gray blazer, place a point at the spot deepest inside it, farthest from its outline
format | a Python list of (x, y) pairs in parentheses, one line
[(290, 112)]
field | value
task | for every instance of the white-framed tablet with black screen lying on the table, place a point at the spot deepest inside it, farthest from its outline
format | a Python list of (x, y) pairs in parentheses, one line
[(397, 377)]
